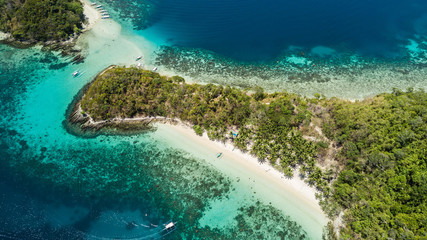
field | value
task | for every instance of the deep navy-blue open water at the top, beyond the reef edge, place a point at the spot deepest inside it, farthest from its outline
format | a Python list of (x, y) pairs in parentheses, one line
[(255, 30)]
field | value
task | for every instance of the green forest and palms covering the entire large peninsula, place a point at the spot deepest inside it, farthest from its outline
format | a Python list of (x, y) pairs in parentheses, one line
[(378, 177)]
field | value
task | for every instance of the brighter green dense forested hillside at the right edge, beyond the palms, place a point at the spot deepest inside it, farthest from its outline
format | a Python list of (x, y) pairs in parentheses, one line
[(384, 152)]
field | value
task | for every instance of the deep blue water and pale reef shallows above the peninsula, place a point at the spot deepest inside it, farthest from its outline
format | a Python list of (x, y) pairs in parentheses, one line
[(351, 49)]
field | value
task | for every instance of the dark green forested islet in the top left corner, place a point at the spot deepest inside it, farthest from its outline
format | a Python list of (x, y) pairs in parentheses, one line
[(41, 20)]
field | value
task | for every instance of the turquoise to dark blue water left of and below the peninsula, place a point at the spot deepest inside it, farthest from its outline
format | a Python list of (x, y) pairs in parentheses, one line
[(55, 185)]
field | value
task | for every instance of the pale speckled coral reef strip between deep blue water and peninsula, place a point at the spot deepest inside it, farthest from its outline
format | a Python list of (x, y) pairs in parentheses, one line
[(344, 74)]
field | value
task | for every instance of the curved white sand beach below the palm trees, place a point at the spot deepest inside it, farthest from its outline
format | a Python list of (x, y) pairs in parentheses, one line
[(293, 196)]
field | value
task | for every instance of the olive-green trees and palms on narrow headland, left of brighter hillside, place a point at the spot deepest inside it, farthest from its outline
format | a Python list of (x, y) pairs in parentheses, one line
[(267, 123)]
